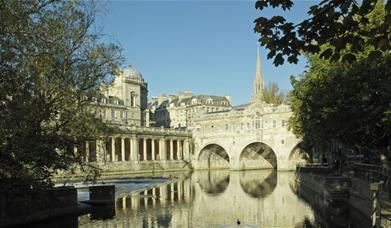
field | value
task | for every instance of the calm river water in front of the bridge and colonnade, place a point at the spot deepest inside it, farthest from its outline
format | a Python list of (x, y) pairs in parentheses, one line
[(262, 198)]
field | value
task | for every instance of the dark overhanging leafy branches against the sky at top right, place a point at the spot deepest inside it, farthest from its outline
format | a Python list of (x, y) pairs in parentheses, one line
[(340, 24)]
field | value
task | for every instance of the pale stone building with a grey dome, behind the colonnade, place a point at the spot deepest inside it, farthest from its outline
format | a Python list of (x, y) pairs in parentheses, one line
[(124, 101)]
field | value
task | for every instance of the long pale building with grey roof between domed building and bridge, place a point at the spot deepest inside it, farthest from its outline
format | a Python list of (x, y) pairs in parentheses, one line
[(179, 110)]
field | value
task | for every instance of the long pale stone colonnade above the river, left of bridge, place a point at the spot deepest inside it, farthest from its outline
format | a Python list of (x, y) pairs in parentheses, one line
[(137, 148)]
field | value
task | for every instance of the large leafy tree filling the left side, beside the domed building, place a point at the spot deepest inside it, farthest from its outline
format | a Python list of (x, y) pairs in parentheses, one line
[(50, 60)]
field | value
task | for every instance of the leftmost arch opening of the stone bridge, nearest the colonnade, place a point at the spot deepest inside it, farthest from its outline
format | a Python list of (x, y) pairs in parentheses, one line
[(213, 156)]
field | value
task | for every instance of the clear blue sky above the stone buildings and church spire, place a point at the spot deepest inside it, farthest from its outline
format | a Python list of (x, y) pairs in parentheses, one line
[(206, 47)]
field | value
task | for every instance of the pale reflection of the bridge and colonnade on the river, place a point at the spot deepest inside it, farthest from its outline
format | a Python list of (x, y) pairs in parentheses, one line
[(210, 199)]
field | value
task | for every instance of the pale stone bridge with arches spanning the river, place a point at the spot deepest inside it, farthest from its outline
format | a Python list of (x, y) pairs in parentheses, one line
[(220, 143)]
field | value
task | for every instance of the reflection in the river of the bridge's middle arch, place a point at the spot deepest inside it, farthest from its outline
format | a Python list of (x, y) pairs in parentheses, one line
[(258, 184)]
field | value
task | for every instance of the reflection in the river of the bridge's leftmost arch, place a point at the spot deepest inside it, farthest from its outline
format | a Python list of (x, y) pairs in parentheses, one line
[(214, 182)]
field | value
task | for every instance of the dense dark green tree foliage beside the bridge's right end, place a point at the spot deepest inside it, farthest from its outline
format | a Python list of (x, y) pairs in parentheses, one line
[(347, 103)]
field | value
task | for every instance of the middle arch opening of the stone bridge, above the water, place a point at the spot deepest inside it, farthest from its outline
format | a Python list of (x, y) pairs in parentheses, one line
[(258, 156)]
